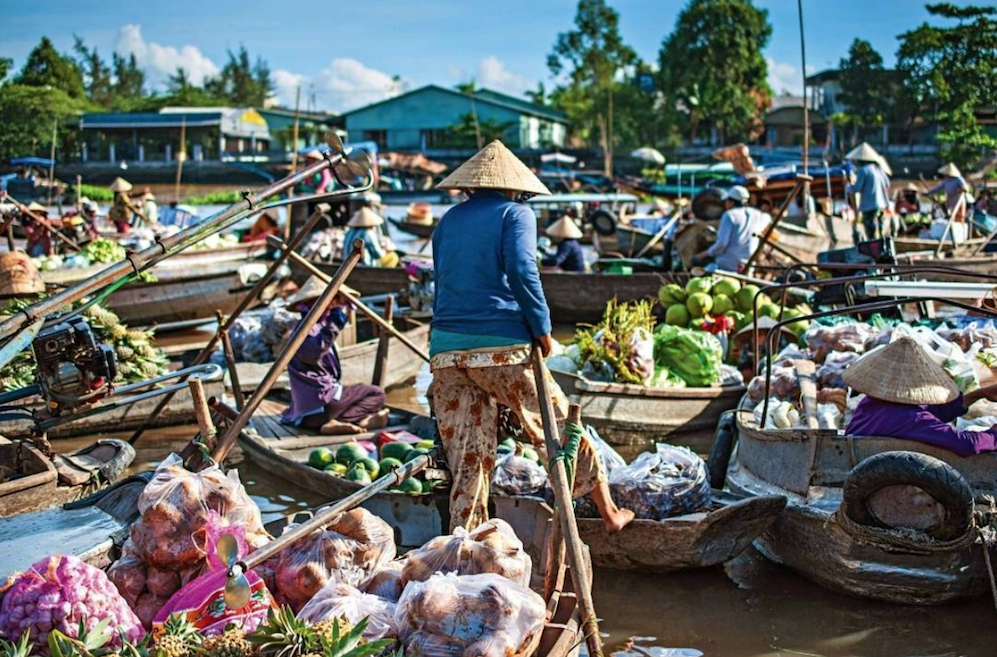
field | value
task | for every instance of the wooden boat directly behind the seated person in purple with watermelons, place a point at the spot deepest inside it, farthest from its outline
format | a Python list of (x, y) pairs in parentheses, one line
[(358, 359)]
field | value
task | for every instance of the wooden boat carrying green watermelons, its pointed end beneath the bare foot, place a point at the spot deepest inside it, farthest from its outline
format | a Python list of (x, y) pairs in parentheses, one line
[(693, 541)]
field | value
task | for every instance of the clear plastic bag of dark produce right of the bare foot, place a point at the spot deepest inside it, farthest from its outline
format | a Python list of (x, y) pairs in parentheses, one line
[(667, 482)]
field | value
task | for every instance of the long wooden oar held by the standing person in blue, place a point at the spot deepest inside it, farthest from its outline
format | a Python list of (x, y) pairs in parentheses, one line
[(566, 512)]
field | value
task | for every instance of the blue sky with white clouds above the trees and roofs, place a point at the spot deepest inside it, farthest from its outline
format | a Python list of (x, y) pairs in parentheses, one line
[(344, 54)]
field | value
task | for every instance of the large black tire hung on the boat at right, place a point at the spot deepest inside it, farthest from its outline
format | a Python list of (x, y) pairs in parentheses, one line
[(935, 477)]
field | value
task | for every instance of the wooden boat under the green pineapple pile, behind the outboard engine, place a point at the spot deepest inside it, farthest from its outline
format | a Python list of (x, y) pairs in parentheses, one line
[(180, 410)]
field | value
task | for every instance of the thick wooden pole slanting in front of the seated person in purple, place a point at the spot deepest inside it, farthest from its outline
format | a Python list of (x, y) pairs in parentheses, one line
[(227, 441)]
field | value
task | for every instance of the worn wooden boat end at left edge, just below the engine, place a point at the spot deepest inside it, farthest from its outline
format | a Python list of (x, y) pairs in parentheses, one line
[(31, 480)]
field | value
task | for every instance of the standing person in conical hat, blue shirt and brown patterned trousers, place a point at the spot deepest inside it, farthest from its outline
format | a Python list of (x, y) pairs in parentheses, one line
[(489, 310)]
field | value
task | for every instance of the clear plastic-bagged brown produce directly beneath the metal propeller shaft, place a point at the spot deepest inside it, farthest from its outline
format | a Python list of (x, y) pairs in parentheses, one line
[(348, 551)]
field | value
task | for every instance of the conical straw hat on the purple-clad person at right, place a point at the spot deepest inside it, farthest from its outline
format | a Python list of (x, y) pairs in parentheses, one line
[(901, 372)]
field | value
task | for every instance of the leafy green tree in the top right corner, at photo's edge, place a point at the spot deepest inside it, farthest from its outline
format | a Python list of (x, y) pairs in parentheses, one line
[(947, 72)]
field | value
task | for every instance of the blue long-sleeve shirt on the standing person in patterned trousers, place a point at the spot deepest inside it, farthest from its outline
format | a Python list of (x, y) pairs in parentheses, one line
[(485, 270)]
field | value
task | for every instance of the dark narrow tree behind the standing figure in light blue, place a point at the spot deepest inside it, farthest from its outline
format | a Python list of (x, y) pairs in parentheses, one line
[(865, 87)]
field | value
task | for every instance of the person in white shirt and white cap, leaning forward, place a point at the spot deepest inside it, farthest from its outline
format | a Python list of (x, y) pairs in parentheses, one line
[(737, 237)]
